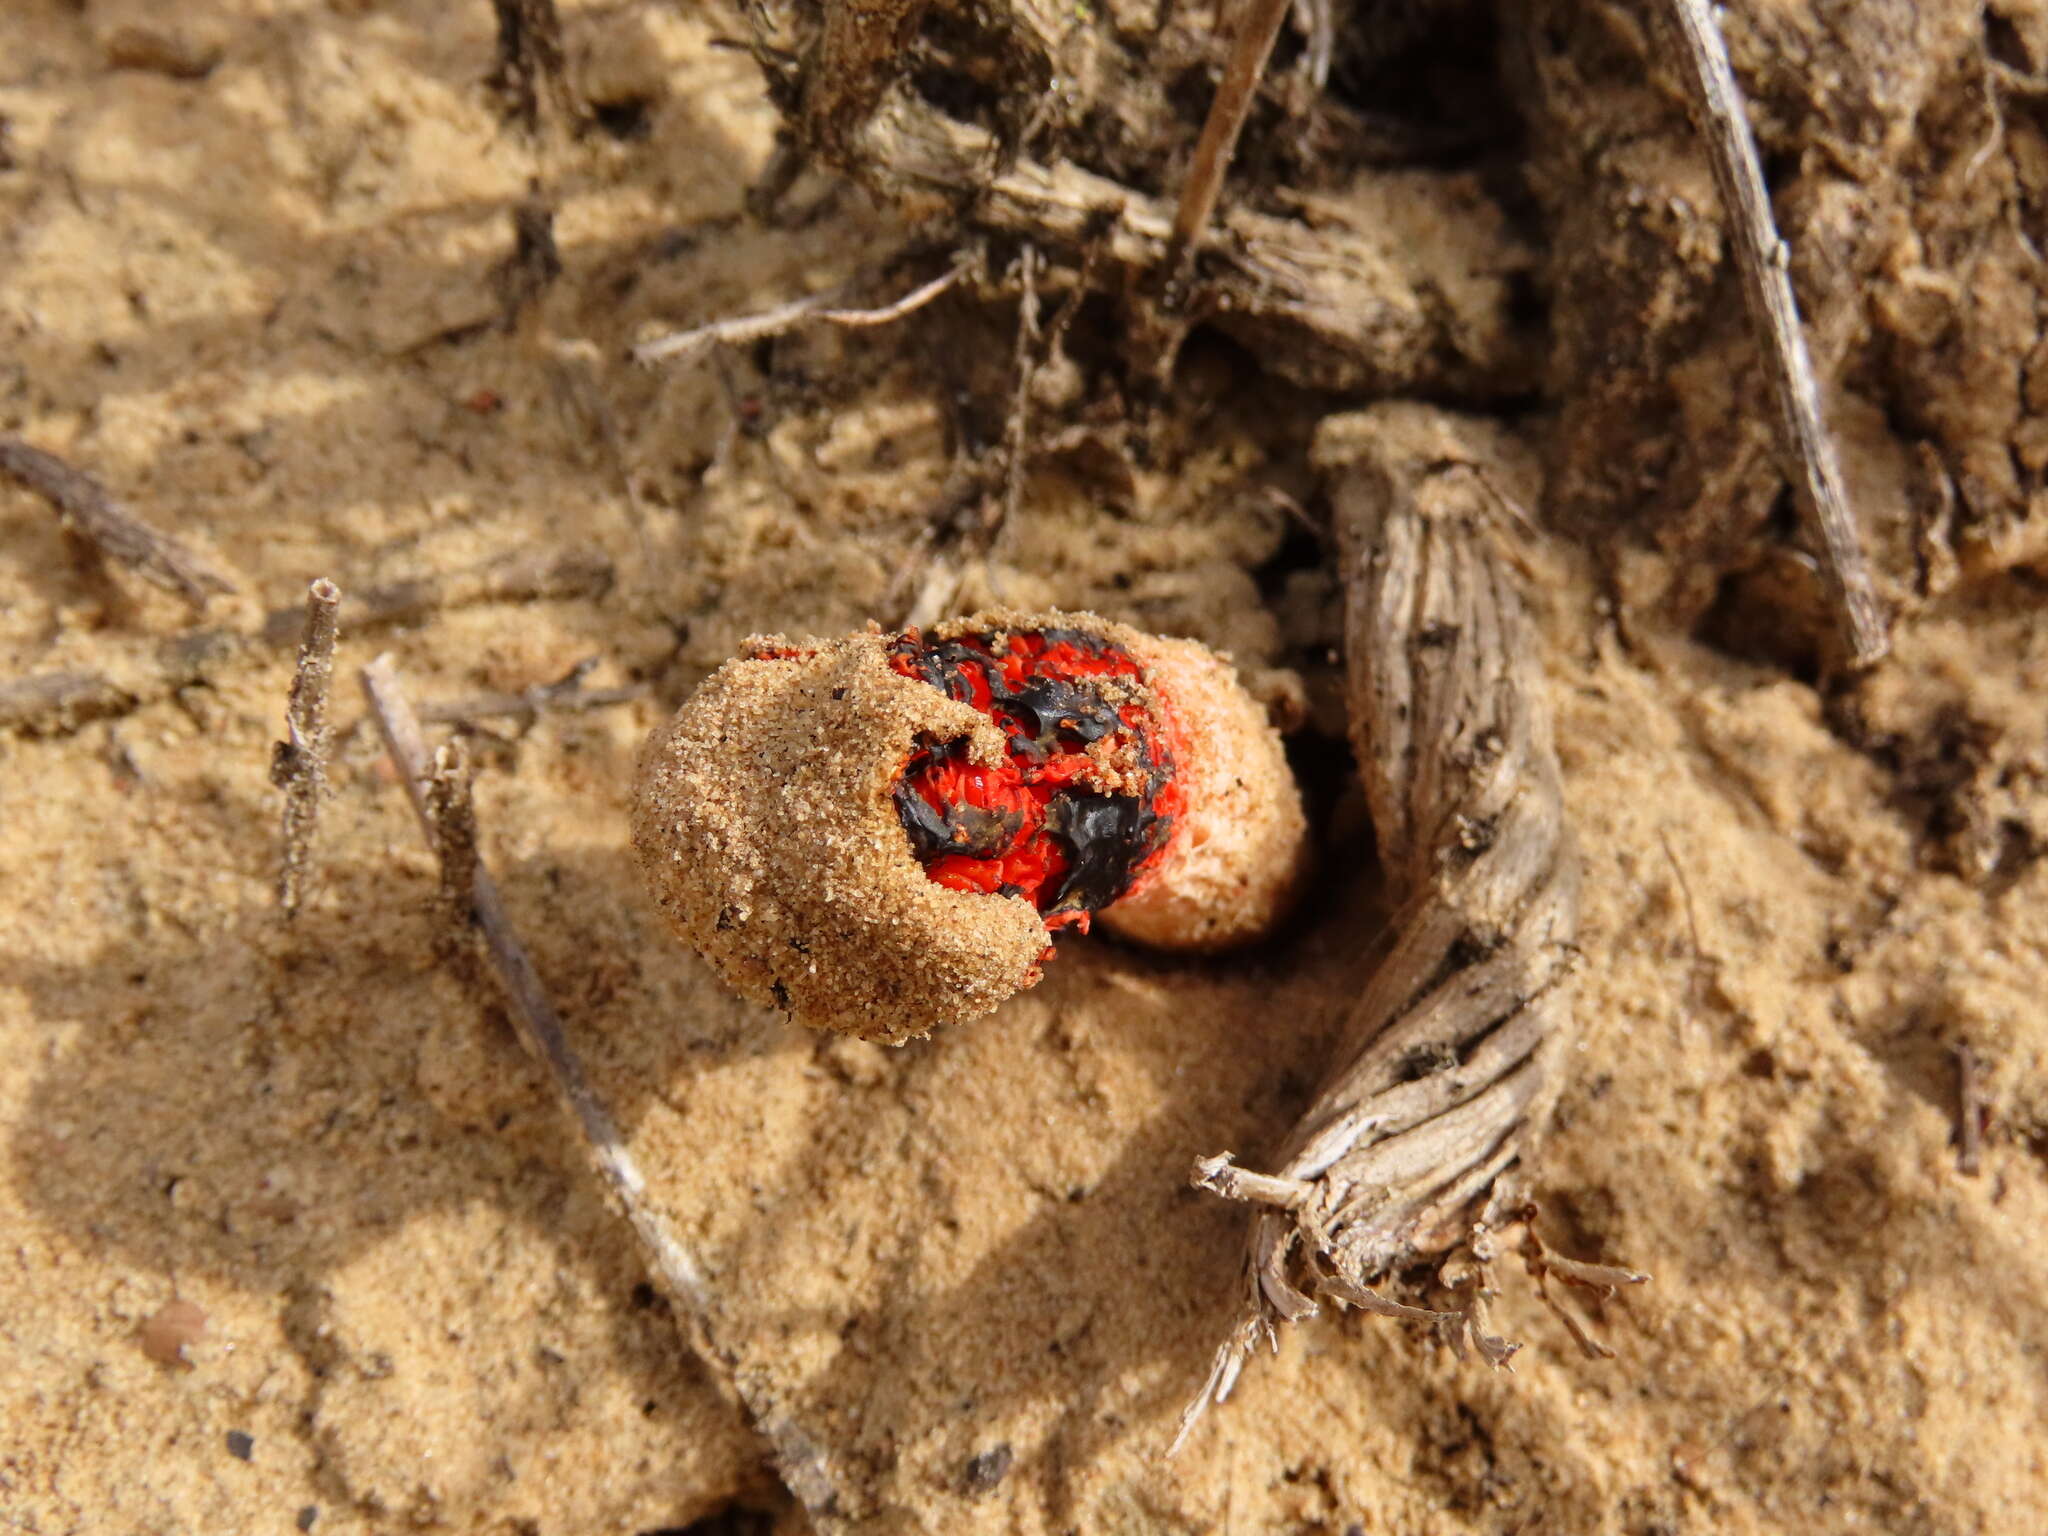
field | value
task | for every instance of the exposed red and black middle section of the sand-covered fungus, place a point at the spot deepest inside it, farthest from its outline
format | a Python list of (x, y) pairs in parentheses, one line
[(1054, 822)]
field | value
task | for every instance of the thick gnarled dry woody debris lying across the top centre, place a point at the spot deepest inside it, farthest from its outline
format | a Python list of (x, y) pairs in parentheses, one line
[(1336, 292)]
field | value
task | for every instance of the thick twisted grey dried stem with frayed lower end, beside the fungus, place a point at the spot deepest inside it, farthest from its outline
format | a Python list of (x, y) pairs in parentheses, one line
[(1447, 1062)]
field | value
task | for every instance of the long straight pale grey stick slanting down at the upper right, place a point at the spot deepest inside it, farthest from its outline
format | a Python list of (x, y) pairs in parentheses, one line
[(1805, 447)]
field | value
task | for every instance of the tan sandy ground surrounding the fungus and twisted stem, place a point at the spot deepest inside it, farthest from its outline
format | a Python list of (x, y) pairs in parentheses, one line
[(247, 278)]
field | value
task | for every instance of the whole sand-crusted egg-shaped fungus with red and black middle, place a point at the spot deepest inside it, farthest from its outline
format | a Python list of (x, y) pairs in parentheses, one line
[(884, 833)]
